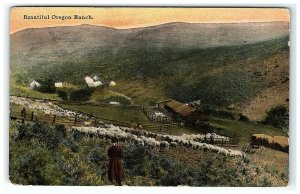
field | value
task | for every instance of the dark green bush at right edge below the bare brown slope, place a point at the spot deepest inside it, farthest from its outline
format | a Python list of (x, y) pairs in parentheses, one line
[(276, 117)]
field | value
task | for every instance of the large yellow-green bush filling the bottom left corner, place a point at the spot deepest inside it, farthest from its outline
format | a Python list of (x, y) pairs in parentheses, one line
[(34, 165)]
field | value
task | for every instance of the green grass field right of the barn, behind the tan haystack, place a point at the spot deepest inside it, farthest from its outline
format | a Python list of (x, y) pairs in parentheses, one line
[(243, 130)]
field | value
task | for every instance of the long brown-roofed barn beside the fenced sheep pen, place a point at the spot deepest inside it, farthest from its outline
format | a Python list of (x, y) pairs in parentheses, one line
[(176, 108)]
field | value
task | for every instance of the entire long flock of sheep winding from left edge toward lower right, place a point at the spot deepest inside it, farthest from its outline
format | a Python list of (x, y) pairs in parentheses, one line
[(125, 134)]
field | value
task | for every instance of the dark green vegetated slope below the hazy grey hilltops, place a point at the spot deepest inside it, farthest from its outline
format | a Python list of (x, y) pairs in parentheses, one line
[(217, 76)]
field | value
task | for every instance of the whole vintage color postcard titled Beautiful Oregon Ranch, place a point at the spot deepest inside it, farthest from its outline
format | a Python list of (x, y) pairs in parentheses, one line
[(149, 96)]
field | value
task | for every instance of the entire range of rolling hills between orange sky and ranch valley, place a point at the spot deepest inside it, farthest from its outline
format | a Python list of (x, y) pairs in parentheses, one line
[(242, 65)]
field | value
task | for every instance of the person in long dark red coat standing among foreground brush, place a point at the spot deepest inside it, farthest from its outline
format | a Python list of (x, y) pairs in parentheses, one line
[(115, 170)]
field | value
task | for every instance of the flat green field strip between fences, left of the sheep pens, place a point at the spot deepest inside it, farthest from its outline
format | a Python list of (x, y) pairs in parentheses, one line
[(119, 114)]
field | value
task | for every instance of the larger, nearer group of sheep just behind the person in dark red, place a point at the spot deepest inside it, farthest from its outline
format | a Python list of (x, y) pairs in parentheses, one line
[(154, 140)]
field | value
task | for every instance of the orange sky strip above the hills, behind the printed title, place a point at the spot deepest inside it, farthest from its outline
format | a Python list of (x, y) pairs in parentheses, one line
[(122, 18)]
